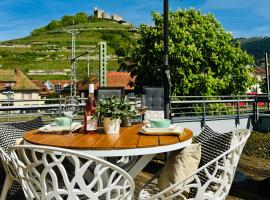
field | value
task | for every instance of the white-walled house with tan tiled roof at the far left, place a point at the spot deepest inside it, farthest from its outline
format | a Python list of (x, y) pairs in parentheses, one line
[(14, 85)]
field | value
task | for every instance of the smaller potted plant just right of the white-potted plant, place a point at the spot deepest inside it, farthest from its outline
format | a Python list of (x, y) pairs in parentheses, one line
[(127, 112)]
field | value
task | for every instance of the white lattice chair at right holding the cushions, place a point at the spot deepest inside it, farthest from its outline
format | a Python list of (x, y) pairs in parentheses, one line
[(221, 183)]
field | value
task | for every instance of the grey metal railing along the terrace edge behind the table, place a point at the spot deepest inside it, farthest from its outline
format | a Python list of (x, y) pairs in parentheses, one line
[(184, 108)]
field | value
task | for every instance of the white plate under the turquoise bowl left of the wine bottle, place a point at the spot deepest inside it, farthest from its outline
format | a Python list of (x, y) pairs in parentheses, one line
[(53, 128)]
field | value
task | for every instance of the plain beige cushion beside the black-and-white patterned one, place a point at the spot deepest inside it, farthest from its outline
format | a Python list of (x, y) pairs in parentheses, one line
[(180, 165)]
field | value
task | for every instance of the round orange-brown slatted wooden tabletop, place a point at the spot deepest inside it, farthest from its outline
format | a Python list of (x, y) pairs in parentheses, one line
[(128, 138)]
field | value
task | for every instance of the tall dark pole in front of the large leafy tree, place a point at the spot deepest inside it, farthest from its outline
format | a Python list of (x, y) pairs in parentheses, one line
[(166, 68)]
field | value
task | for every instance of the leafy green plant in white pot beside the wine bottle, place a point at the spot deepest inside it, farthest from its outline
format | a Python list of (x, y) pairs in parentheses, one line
[(109, 111)]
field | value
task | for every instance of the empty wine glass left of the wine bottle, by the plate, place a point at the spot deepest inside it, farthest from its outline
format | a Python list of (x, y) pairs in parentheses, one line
[(70, 109)]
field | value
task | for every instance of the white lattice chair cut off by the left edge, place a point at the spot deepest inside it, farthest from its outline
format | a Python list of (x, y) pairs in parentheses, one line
[(11, 173)]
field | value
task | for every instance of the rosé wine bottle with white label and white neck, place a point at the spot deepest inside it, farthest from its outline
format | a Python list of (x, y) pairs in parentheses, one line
[(90, 123)]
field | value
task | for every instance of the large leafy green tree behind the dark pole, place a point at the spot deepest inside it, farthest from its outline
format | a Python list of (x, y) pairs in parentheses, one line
[(203, 57)]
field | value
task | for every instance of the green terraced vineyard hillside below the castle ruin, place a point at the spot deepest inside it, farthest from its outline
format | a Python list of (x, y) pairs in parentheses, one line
[(50, 50)]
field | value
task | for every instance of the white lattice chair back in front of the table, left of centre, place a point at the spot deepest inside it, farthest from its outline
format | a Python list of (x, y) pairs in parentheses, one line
[(54, 173)]
